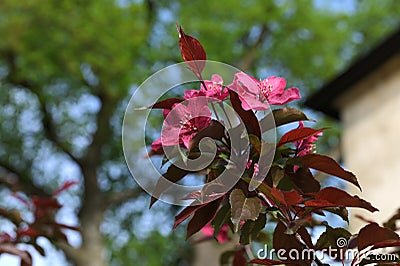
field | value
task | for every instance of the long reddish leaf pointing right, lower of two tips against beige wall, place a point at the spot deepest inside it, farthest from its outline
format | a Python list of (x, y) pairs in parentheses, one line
[(334, 197)]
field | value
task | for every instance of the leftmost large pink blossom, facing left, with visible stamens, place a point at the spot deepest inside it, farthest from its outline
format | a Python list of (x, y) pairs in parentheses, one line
[(184, 121)]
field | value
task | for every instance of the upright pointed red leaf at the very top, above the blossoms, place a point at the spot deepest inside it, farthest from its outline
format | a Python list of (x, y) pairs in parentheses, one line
[(192, 51)]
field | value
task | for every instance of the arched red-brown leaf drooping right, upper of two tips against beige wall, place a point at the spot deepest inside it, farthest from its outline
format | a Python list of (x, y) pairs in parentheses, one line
[(327, 165)]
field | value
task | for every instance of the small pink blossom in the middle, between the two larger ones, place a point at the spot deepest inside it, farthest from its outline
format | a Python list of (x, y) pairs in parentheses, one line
[(214, 89)]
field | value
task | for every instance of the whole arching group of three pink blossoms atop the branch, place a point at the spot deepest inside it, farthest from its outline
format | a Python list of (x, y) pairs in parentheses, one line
[(186, 119)]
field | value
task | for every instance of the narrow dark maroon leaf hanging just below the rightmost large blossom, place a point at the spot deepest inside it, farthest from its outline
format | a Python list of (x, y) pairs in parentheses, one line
[(248, 117)]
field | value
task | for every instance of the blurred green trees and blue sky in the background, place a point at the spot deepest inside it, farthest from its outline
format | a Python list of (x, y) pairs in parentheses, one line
[(68, 68)]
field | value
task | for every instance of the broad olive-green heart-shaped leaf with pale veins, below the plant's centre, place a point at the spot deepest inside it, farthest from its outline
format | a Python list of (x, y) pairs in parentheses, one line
[(242, 208)]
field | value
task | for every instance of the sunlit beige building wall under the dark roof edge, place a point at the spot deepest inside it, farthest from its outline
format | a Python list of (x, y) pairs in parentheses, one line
[(371, 139)]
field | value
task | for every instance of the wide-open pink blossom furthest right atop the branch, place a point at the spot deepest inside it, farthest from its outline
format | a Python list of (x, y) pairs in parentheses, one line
[(257, 95)]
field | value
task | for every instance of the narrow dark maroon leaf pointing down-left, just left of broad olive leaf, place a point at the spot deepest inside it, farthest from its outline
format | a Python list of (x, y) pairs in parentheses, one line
[(202, 217)]
